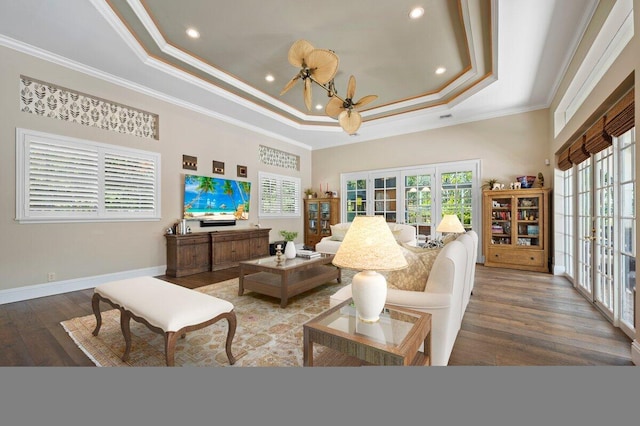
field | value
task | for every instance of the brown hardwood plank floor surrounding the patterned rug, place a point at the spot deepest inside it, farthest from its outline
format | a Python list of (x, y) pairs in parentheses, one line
[(513, 318)]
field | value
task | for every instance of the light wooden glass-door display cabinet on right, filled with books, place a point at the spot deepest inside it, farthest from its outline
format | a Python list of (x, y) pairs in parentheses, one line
[(516, 228)]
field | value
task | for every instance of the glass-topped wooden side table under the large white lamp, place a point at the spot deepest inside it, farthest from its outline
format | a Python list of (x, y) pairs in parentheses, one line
[(394, 340)]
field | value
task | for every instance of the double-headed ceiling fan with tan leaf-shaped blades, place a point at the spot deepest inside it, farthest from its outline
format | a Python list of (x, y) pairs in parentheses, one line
[(320, 66)]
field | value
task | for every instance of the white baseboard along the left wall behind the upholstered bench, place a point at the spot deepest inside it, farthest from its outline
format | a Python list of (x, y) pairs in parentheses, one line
[(50, 289)]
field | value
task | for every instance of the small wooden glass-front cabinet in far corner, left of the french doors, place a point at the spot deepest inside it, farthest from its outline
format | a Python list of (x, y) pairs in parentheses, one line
[(319, 215)]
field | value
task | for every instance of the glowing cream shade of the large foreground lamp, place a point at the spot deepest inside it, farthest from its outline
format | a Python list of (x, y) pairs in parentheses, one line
[(369, 245)]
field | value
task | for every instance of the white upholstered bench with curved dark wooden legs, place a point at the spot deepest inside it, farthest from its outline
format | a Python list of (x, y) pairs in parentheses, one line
[(165, 308)]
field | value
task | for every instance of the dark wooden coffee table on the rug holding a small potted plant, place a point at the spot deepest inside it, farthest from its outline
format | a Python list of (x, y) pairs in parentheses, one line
[(291, 277)]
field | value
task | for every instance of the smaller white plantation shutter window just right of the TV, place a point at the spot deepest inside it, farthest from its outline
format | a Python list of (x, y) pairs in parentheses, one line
[(279, 196)]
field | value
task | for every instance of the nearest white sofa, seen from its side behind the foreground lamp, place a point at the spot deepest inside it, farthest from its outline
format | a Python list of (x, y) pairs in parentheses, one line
[(445, 296)]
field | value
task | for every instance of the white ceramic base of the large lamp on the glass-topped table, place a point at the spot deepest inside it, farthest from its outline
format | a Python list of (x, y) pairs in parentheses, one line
[(369, 293)]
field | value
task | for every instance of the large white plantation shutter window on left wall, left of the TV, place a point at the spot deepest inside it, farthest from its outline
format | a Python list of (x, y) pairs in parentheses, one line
[(61, 179)]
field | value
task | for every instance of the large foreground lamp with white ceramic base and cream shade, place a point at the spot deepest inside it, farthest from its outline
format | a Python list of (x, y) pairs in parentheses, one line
[(369, 246)]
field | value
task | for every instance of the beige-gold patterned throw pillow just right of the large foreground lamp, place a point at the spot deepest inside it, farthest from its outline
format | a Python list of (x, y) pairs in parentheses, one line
[(413, 277)]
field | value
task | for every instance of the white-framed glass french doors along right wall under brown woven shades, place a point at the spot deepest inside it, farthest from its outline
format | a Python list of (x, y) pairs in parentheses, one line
[(605, 234)]
